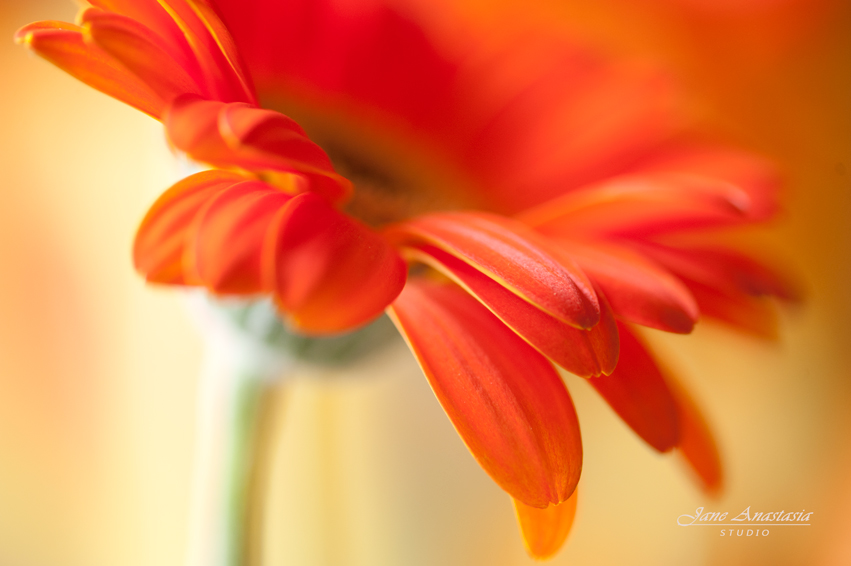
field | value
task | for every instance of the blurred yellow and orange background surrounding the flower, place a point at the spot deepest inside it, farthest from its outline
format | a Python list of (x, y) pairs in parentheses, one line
[(98, 372)]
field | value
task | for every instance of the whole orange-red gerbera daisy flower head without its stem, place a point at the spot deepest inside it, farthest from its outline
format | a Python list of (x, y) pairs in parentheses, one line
[(512, 204)]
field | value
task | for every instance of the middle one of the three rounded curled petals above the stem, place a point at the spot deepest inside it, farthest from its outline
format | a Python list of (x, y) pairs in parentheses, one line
[(225, 242)]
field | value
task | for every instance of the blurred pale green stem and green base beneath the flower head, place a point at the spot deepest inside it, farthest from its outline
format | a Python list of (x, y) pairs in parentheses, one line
[(249, 353)]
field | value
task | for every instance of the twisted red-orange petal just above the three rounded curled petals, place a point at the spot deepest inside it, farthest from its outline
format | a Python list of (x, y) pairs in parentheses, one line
[(261, 141)]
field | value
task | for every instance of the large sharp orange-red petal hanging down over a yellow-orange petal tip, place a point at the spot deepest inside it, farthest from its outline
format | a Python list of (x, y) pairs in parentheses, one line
[(506, 401)]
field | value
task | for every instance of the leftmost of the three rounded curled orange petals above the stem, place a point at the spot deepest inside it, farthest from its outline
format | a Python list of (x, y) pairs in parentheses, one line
[(161, 238)]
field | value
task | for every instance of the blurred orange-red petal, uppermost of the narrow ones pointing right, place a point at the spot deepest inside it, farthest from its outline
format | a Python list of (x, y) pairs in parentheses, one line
[(642, 205)]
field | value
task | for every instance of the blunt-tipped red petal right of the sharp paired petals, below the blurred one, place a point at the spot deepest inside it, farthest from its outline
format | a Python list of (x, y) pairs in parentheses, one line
[(638, 290)]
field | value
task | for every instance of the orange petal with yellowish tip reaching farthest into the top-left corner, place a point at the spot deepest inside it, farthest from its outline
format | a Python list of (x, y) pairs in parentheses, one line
[(63, 45)]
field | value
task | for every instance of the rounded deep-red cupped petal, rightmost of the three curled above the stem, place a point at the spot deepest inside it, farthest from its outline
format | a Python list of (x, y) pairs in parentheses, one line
[(329, 272)]
